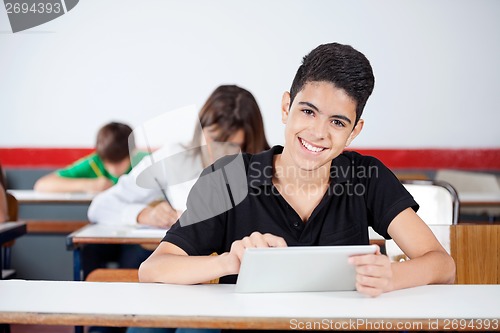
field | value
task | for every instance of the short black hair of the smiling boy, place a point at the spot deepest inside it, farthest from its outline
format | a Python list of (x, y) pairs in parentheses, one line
[(341, 65)]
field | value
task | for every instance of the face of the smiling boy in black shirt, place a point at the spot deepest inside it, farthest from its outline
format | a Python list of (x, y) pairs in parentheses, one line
[(319, 125)]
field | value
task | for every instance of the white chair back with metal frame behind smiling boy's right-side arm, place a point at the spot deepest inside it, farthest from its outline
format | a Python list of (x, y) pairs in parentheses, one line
[(439, 206)]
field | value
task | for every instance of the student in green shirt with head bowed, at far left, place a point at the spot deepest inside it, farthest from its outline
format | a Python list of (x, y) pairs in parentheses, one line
[(98, 171)]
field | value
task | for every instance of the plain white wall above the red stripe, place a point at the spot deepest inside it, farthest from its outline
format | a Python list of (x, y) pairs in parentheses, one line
[(436, 65)]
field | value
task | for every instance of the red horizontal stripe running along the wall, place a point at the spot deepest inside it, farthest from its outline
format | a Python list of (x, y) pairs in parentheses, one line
[(467, 159)]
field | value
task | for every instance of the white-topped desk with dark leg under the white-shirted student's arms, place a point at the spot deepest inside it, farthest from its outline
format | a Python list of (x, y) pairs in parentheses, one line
[(108, 234)]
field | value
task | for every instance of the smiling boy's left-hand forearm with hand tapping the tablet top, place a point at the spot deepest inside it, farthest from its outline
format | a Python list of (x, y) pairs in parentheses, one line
[(170, 264)]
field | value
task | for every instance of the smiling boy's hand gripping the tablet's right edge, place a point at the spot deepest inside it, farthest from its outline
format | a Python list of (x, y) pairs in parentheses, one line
[(374, 273)]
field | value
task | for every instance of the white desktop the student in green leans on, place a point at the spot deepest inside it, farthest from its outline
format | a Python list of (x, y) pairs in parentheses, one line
[(31, 196)]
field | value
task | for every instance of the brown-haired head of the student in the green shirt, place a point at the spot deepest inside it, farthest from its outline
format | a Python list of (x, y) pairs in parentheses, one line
[(112, 144)]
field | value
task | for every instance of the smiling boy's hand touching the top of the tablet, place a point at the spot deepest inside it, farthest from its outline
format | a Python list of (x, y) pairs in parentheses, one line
[(256, 239)]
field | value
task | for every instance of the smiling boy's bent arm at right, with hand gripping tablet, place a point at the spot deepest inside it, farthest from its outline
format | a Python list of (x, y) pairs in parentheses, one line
[(429, 264)]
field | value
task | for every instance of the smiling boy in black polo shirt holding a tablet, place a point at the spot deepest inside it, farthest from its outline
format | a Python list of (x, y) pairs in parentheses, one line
[(308, 193)]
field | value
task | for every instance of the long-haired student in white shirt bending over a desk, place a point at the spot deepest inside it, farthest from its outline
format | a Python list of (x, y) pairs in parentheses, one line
[(230, 116)]
